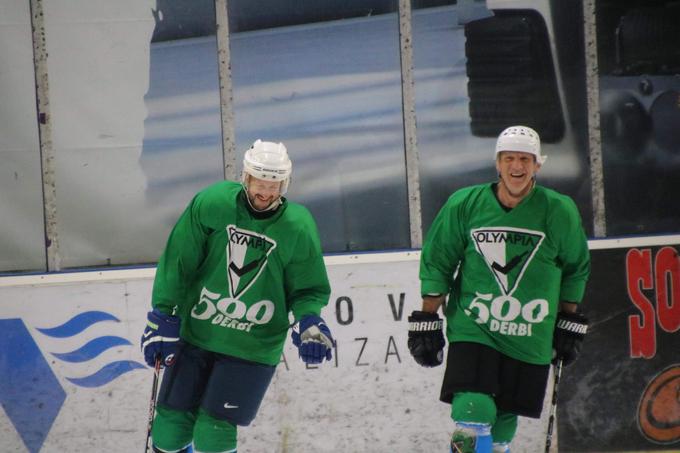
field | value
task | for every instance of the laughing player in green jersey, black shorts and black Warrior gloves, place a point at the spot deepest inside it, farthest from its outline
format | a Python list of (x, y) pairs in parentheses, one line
[(513, 259)]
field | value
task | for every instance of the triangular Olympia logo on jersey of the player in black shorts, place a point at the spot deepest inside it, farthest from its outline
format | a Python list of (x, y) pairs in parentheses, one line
[(507, 251)]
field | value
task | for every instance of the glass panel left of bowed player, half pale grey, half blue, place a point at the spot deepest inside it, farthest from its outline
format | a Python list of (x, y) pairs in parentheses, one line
[(135, 106)]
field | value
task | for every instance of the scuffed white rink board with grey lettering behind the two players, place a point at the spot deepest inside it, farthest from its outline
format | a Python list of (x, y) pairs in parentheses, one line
[(372, 398)]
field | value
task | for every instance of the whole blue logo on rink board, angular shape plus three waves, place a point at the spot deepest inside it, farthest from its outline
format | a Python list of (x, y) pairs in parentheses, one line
[(30, 393)]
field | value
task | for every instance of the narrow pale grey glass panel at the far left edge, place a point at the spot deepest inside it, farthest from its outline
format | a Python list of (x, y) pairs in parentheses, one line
[(22, 243)]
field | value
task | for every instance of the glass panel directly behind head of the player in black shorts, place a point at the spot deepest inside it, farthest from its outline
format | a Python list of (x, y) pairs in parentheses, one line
[(477, 73)]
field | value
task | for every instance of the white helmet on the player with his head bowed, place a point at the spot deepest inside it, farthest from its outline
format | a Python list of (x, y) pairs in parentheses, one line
[(268, 161)]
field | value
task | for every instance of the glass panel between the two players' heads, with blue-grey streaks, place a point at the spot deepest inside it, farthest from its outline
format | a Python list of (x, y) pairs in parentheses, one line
[(325, 80)]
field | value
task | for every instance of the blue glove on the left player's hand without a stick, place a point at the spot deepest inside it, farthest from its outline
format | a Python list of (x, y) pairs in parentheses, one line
[(313, 339)]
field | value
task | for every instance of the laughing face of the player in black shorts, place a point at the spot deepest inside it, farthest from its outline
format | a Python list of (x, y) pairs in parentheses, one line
[(516, 171)]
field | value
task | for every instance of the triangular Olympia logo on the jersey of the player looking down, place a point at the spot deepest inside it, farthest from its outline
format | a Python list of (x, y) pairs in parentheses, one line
[(247, 254)]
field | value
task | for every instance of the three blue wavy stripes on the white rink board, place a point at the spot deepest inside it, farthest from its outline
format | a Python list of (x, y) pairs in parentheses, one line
[(92, 349)]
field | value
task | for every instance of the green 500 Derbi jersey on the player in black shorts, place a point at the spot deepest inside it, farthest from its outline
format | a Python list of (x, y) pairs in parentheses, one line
[(506, 271)]
